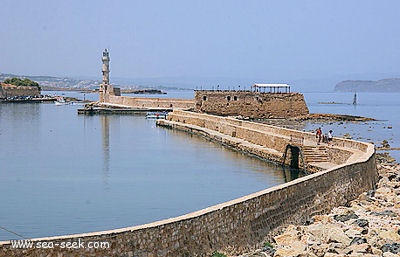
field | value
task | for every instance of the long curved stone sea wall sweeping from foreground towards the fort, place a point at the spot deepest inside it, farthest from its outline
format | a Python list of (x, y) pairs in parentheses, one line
[(233, 226)]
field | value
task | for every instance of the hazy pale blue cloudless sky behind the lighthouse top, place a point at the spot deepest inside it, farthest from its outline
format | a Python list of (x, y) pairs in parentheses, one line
[(244, 39)]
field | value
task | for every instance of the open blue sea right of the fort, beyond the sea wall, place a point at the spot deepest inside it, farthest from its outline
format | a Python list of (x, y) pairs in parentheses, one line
[(384, 107)]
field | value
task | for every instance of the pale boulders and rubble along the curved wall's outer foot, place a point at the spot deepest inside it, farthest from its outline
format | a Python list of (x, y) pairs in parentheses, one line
[(367, 226)]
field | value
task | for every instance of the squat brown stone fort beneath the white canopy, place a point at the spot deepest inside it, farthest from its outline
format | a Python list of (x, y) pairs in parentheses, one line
[(251, 104)]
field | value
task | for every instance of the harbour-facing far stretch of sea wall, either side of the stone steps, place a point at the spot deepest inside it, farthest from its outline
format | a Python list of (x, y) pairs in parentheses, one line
[(268, 142)]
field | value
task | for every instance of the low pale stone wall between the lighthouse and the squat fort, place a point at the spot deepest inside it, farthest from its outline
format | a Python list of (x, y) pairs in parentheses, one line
[(162, 103)]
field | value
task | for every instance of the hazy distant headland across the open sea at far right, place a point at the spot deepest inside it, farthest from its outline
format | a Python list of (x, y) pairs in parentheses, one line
[(384, 85)]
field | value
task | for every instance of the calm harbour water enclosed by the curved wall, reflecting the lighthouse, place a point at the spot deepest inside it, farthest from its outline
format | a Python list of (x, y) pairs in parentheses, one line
[(64, 173)]
